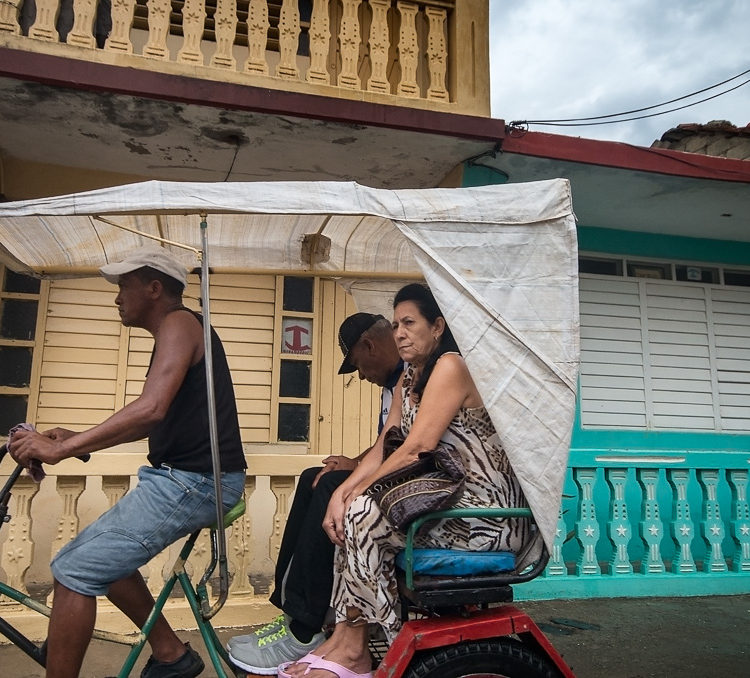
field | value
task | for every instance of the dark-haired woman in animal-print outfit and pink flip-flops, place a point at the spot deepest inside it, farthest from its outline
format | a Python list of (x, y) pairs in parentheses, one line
[(436, 400)]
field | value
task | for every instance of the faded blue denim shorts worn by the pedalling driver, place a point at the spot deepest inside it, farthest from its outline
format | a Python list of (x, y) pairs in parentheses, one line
[(166, 505)]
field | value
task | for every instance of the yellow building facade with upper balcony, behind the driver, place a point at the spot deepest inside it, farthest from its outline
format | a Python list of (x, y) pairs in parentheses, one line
[(384, 92)]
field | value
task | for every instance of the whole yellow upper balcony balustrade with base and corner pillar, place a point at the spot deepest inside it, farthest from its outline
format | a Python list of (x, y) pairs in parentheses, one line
[(431, 54)]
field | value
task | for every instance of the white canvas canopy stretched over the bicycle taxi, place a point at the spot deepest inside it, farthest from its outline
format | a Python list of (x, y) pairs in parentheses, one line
[(501, 261)]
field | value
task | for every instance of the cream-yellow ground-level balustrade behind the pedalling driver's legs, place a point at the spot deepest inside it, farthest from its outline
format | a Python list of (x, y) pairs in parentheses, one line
[(46, 516)]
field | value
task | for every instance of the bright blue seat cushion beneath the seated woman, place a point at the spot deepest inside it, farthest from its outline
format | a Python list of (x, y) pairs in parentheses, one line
[(458, 563)]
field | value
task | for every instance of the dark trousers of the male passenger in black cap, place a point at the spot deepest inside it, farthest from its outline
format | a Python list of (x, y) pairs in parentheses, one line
[(304, 569)]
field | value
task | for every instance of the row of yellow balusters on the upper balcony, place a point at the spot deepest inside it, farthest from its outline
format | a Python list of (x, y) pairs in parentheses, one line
[(392, 47)]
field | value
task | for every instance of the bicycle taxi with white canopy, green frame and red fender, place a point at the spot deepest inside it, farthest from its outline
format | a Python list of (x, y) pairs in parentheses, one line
[(501, 262)]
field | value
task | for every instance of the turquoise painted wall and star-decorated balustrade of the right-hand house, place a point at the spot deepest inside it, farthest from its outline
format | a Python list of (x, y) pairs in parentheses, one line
[(589, 446)]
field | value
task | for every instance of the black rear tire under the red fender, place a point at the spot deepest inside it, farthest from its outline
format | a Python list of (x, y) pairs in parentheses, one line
[(496, 657)]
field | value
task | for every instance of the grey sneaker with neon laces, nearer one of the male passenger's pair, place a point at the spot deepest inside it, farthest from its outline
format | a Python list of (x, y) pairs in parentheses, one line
[(271, 650)]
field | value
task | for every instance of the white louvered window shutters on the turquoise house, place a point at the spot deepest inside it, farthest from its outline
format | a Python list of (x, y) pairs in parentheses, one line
[(662, 354)]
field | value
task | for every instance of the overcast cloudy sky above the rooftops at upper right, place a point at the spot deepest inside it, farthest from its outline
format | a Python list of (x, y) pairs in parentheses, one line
[(553, 59)]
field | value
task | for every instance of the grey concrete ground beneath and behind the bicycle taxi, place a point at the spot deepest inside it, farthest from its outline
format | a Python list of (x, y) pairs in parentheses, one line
[(603, 638)]
